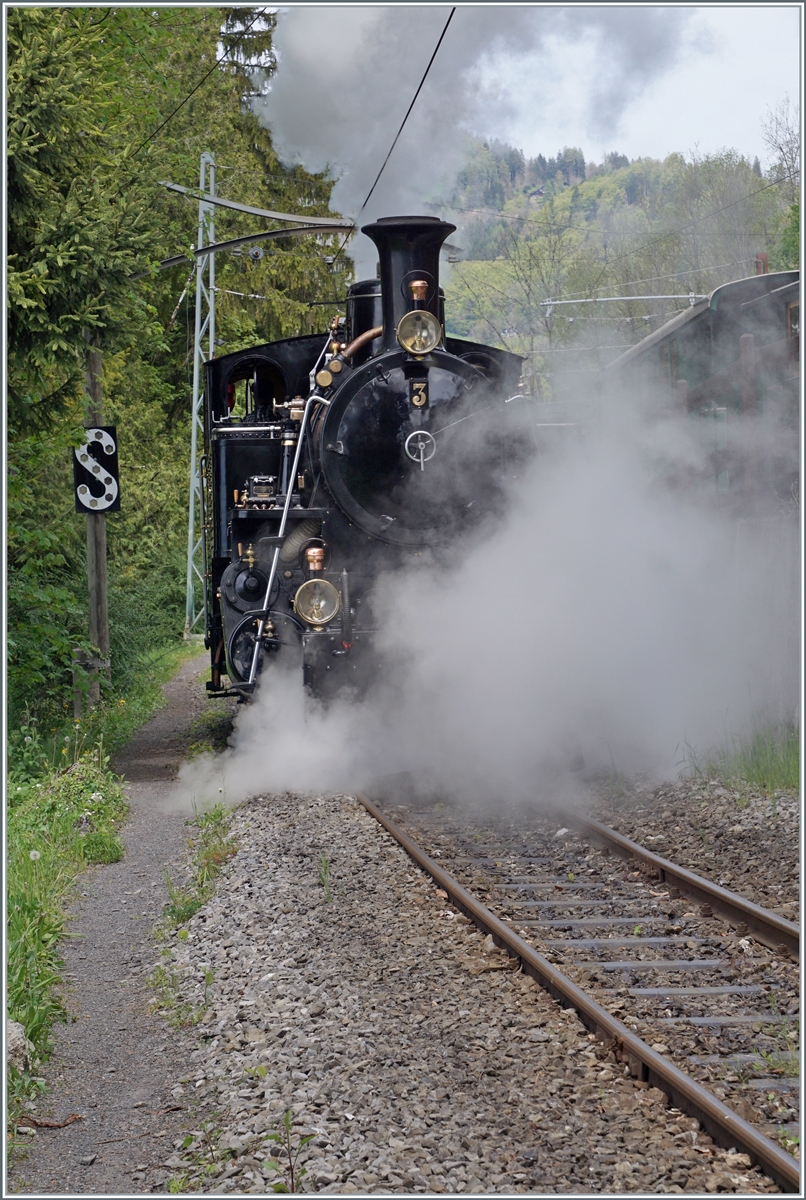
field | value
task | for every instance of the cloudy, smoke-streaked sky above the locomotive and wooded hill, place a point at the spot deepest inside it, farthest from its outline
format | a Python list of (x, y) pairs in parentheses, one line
[(640, 80)]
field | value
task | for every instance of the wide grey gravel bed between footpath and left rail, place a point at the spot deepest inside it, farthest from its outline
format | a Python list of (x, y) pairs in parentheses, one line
[(399, 1037)]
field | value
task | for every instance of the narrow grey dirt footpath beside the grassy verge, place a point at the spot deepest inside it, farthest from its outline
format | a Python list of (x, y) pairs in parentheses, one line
[(117, 1063)]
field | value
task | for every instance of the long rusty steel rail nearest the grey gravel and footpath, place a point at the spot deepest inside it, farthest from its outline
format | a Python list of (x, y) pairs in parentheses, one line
[(725, 1126)]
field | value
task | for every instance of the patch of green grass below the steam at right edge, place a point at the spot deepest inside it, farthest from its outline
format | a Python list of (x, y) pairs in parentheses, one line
[(768, 758)]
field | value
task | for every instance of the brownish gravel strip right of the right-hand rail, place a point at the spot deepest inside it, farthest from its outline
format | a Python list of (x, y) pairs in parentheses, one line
[(744, 841)]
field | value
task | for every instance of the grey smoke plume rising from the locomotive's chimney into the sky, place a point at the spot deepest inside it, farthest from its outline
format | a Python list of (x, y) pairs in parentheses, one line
[(346, 77)]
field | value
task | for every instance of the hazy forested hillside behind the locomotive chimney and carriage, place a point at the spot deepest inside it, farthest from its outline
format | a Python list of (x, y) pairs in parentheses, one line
[(561, 229)]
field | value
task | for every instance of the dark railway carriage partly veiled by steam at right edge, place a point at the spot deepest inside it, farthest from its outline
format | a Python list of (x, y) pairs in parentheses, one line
[(732, 364)]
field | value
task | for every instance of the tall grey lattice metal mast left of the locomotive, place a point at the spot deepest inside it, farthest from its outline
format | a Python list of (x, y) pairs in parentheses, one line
[(206, 327)]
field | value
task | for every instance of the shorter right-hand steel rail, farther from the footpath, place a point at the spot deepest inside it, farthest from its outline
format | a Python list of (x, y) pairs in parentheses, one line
[(767, 927)]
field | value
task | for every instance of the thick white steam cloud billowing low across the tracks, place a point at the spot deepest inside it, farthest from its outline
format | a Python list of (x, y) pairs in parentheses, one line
[(612, 615)]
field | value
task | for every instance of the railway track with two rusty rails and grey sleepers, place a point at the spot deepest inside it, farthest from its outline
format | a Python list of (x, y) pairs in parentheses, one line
[(695, 988)]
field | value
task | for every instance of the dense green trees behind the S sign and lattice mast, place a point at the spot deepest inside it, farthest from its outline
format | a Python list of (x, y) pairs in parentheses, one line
[(103, 105)]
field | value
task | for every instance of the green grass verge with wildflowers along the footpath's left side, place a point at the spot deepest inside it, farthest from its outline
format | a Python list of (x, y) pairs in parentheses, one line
[(64, 813)]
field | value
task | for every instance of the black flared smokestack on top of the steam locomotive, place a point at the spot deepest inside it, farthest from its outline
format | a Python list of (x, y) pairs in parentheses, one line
[(408, 253)]
